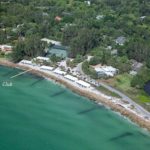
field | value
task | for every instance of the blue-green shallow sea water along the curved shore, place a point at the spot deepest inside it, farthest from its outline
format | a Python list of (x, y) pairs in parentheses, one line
[(36, 114)]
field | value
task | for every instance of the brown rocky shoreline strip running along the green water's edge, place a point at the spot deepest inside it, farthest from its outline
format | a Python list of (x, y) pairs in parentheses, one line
[(83, 92)]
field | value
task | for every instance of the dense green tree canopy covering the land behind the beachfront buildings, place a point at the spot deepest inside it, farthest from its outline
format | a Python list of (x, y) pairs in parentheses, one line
[(85, 29)]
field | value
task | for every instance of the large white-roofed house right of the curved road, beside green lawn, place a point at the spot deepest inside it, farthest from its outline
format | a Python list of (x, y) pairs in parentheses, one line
[(107, 71)]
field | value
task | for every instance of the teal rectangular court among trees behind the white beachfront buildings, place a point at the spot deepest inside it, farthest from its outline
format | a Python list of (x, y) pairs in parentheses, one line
[(59, 51)]
